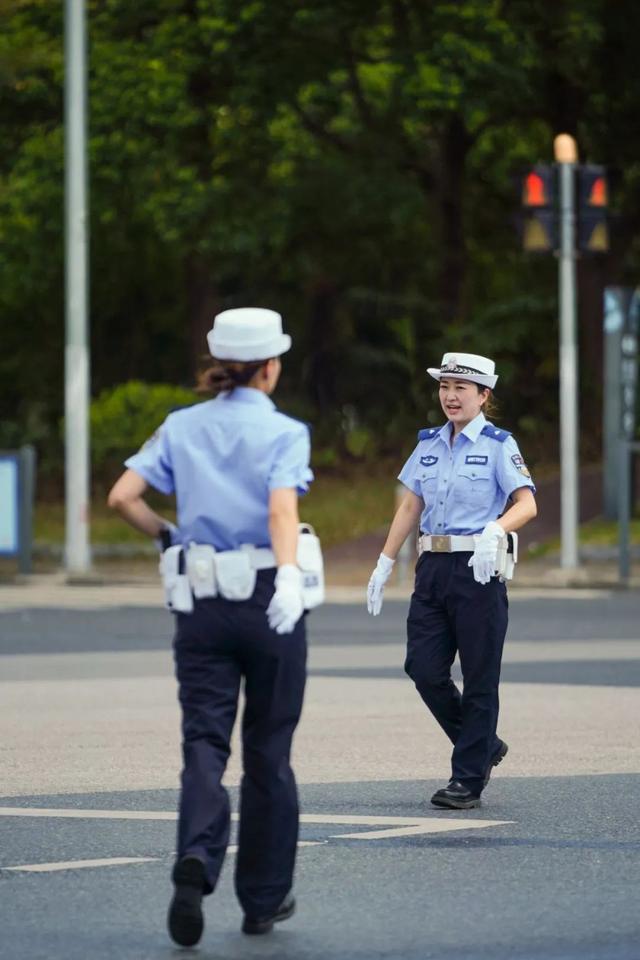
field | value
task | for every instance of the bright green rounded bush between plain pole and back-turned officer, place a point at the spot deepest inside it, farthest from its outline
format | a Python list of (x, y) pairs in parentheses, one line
[(123, 417)]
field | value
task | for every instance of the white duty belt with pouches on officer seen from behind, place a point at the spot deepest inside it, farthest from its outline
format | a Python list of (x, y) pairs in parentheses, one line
[(200, 571)]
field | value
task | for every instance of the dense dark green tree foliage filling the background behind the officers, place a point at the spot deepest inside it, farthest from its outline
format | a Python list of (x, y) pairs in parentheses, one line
[(351, 163)]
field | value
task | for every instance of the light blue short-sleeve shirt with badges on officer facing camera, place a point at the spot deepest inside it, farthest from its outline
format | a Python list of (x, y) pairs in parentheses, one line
[(467, 485)]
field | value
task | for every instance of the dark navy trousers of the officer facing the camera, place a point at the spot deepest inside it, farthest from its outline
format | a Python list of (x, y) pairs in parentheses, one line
[(450, 613)]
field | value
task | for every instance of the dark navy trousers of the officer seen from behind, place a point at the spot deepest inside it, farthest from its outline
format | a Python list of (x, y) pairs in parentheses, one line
[(217, 646)]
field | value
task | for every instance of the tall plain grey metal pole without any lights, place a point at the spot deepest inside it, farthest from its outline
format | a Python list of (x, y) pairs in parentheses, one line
[(77, 555)]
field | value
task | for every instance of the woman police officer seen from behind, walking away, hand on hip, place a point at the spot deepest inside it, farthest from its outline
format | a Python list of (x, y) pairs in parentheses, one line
[(236, 466)]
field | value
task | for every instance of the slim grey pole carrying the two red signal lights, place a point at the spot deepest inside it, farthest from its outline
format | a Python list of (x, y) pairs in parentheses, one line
[(569, 493)]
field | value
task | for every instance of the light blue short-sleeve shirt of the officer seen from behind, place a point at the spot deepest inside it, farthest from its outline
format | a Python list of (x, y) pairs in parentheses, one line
[(222, 458)]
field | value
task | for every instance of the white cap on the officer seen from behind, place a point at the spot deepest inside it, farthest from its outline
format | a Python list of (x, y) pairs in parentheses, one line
[(246, 334)]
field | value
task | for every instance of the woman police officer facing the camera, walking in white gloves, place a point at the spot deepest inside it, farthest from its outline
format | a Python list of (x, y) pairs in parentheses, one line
[(459, 479)]
